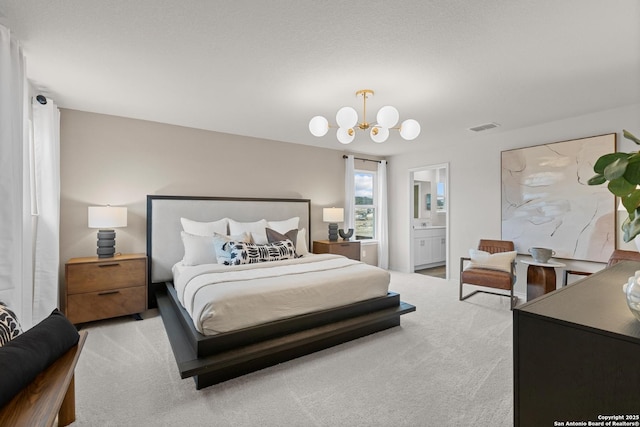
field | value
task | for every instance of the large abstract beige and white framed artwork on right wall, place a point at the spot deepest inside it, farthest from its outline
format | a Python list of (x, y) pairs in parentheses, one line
[(546, 201)]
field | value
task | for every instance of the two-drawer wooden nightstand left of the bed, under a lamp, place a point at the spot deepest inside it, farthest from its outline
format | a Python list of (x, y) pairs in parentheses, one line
[(100, 288)]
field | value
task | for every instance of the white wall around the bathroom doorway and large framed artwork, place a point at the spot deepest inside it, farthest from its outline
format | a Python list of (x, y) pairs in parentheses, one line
[(474, 193)]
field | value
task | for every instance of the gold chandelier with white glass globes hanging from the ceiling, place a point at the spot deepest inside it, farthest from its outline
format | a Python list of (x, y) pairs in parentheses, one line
[(347, 120)]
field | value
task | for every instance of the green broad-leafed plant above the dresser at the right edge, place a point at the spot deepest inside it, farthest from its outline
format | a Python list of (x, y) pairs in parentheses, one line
[(622, 170)]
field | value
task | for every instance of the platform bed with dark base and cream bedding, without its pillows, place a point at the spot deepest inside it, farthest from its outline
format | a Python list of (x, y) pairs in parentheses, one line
[(211, 350)]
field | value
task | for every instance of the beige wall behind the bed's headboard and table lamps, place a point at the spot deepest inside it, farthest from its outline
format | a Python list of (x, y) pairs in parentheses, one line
[(118, 161)]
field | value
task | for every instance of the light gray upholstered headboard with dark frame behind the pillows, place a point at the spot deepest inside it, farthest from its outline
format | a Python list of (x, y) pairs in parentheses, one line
[(164, 245)]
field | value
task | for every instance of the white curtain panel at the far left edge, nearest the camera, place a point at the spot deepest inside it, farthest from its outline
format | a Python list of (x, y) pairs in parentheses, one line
[(15, 219)]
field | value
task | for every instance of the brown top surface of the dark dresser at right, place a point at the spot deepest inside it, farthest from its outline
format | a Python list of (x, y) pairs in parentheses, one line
[(596, 302)]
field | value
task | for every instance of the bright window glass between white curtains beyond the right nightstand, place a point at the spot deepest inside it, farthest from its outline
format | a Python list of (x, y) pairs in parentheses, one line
[(365, 205)]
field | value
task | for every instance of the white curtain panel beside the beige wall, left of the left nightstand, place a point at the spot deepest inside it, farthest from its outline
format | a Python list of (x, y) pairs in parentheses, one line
[(45, 207)]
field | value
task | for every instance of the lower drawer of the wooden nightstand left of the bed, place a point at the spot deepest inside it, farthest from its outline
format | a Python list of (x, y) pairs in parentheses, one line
[(105, 304)]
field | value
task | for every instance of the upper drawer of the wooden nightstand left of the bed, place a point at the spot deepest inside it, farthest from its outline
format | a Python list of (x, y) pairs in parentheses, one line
[(105, 275)]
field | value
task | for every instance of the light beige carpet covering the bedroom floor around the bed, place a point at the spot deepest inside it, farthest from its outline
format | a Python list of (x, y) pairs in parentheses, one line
[(449, 364)]
